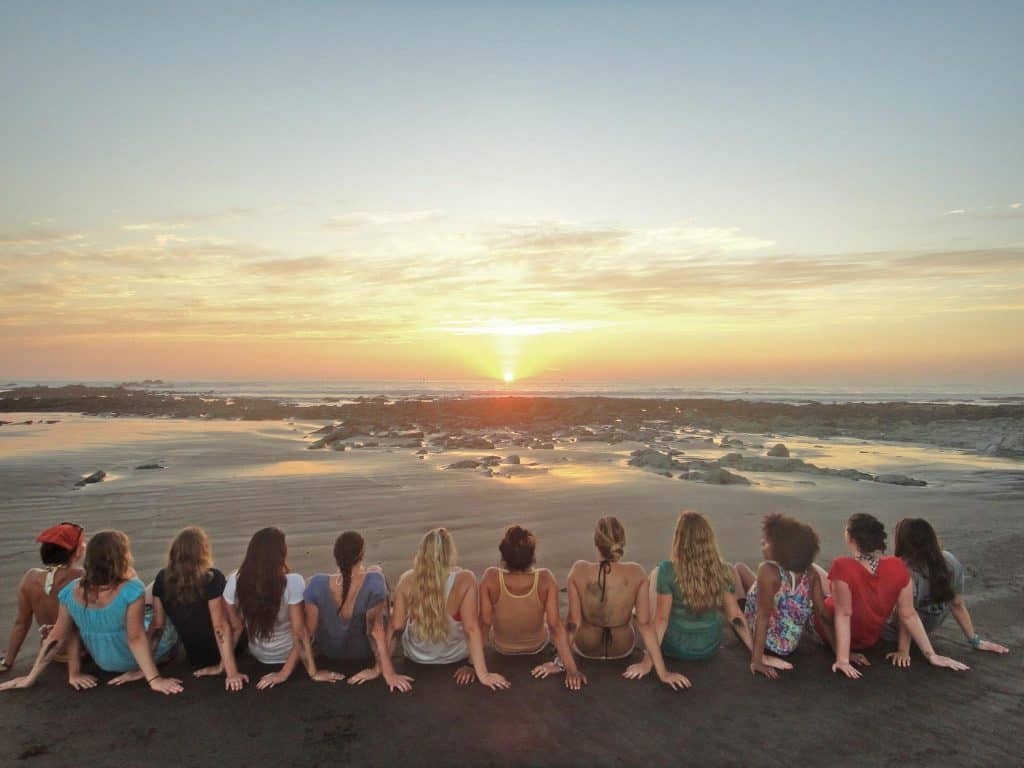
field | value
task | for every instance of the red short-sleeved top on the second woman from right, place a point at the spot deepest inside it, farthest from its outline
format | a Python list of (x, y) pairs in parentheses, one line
[(874, 595)]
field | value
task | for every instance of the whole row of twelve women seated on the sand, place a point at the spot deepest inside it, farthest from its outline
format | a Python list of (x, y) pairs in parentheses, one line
[(445, 616)]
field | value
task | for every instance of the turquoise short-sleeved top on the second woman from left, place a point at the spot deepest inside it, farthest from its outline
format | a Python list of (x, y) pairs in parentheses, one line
[(103, 630)]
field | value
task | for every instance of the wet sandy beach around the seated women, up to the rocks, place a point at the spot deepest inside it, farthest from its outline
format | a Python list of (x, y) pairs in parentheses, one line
[(234, 478)]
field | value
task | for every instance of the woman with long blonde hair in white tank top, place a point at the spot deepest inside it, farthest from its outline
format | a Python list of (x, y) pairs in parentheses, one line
[(438, 611)]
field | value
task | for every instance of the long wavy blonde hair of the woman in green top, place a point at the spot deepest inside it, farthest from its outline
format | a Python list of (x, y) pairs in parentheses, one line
[(700, 570)]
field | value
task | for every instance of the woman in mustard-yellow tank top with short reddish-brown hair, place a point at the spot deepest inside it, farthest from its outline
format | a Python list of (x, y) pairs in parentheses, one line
[(520, 608)]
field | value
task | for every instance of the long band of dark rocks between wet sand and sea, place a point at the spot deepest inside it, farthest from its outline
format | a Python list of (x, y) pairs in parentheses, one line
[(994, 430)]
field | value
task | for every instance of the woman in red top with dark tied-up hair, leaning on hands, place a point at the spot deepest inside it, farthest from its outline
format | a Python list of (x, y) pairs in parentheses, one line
[(863, 591)]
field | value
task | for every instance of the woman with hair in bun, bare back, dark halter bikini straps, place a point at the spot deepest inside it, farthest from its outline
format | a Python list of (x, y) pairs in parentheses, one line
[(606, 598)]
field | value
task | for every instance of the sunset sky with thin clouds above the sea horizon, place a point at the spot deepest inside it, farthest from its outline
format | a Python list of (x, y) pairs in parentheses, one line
[(668, 193)]
